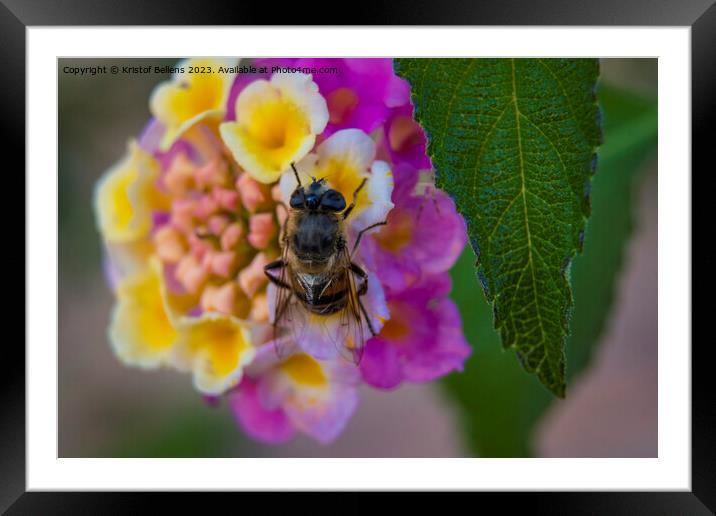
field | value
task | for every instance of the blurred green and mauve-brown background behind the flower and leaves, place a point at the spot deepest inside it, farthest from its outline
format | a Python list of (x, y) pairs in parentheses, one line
[(492, 409)]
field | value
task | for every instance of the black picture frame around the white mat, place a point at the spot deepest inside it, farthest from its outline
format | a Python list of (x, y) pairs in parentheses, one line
[(700, 15)]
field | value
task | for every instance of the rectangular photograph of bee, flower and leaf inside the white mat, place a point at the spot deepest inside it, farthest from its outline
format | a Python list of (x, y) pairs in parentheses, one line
[(357, 257)]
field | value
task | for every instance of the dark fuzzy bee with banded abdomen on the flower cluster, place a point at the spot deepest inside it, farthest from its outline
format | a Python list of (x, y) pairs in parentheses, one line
[(316, 276)]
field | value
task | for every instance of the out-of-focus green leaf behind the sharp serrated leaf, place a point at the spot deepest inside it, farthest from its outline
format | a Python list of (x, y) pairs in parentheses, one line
[(500, 404)]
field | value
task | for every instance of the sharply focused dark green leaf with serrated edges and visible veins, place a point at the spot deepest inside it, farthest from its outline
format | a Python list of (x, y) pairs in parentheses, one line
[(513, 141)]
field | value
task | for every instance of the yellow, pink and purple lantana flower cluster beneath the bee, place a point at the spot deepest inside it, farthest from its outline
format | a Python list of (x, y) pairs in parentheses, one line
[(194, 211)]
